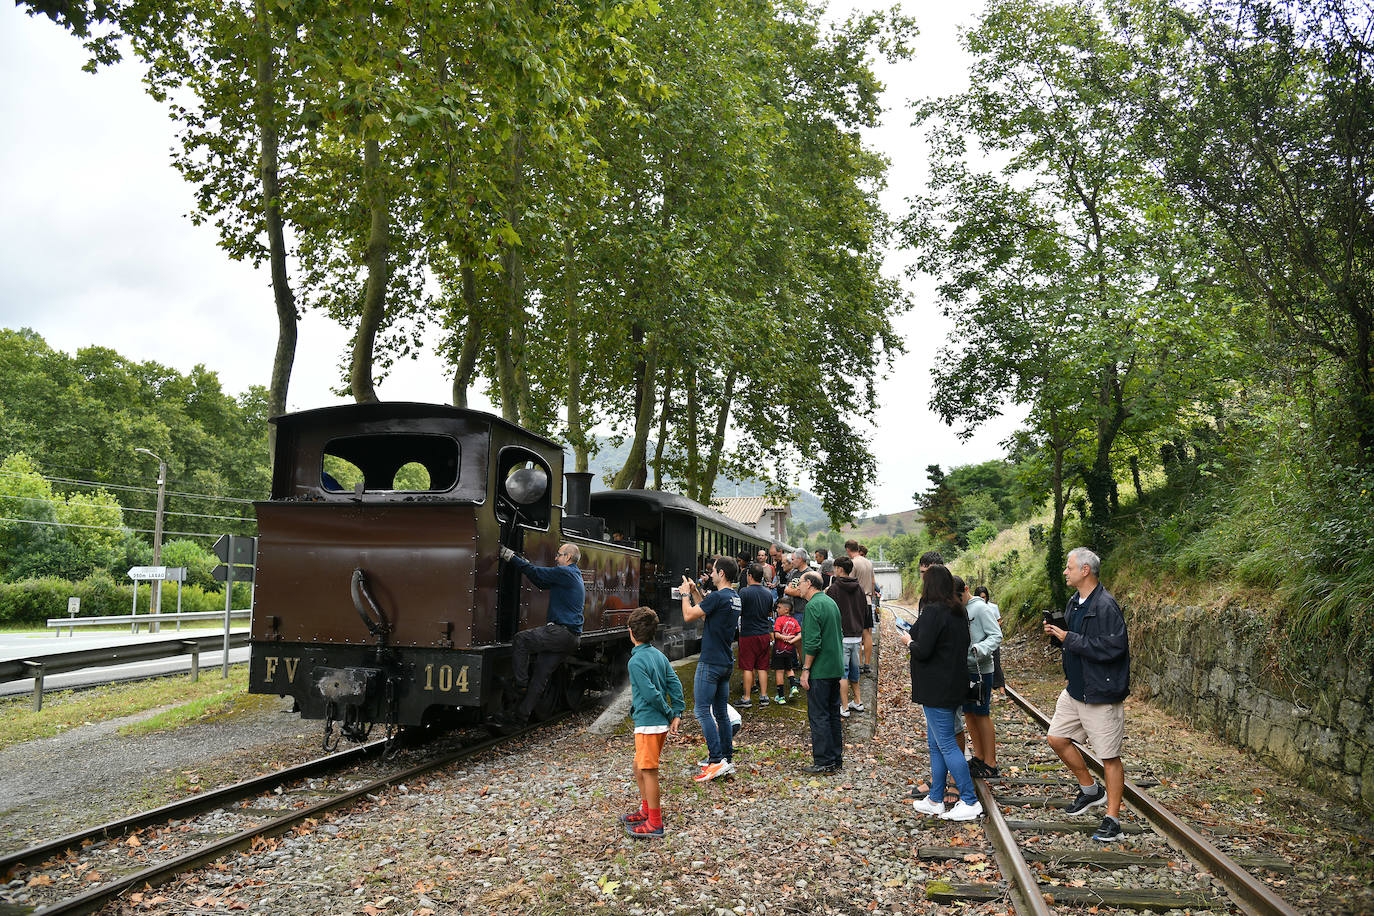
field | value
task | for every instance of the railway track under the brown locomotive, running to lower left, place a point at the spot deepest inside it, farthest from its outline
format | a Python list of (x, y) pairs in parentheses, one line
[(85, 871)]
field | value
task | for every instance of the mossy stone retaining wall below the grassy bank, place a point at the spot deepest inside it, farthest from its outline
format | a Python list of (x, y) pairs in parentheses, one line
[(1219, 669)]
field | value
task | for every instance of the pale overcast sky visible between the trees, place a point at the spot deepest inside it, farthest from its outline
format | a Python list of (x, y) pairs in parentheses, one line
[(95, 247)]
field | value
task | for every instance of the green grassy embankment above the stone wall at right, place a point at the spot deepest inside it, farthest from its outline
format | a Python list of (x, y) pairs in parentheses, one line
[(1292, 545)]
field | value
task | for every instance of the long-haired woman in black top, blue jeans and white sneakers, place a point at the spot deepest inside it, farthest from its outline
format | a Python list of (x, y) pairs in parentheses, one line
[(939, 645)]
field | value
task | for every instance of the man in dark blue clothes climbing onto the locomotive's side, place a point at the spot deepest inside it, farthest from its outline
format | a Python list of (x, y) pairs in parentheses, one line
[(554, 642)]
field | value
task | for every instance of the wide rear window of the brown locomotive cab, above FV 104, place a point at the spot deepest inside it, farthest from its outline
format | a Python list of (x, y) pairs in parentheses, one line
[(391, 463)]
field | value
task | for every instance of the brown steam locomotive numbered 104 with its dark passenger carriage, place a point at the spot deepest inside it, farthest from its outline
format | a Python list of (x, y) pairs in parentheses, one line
[(380, 591)]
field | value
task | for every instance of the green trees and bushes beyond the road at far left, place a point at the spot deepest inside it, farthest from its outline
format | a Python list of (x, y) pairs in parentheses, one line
[(56, 517)]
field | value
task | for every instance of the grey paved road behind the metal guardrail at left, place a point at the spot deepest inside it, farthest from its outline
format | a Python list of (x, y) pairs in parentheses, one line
[(30, 645)]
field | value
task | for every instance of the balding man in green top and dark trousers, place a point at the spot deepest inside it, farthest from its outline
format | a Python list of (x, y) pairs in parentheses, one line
[(824, 646)]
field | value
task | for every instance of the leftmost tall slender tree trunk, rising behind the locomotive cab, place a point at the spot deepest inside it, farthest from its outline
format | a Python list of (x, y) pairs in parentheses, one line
[(285, 300)]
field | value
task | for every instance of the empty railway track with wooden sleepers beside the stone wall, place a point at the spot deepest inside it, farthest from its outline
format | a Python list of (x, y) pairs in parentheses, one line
[(1049, 865)]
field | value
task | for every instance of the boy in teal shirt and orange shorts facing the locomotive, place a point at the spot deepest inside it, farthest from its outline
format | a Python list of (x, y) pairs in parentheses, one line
[(656, 708)]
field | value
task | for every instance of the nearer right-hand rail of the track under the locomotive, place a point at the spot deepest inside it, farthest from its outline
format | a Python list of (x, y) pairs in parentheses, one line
[(155, 875)]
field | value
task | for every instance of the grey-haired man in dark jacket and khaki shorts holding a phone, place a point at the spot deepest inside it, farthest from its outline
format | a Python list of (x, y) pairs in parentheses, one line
[(1097, 664)]
